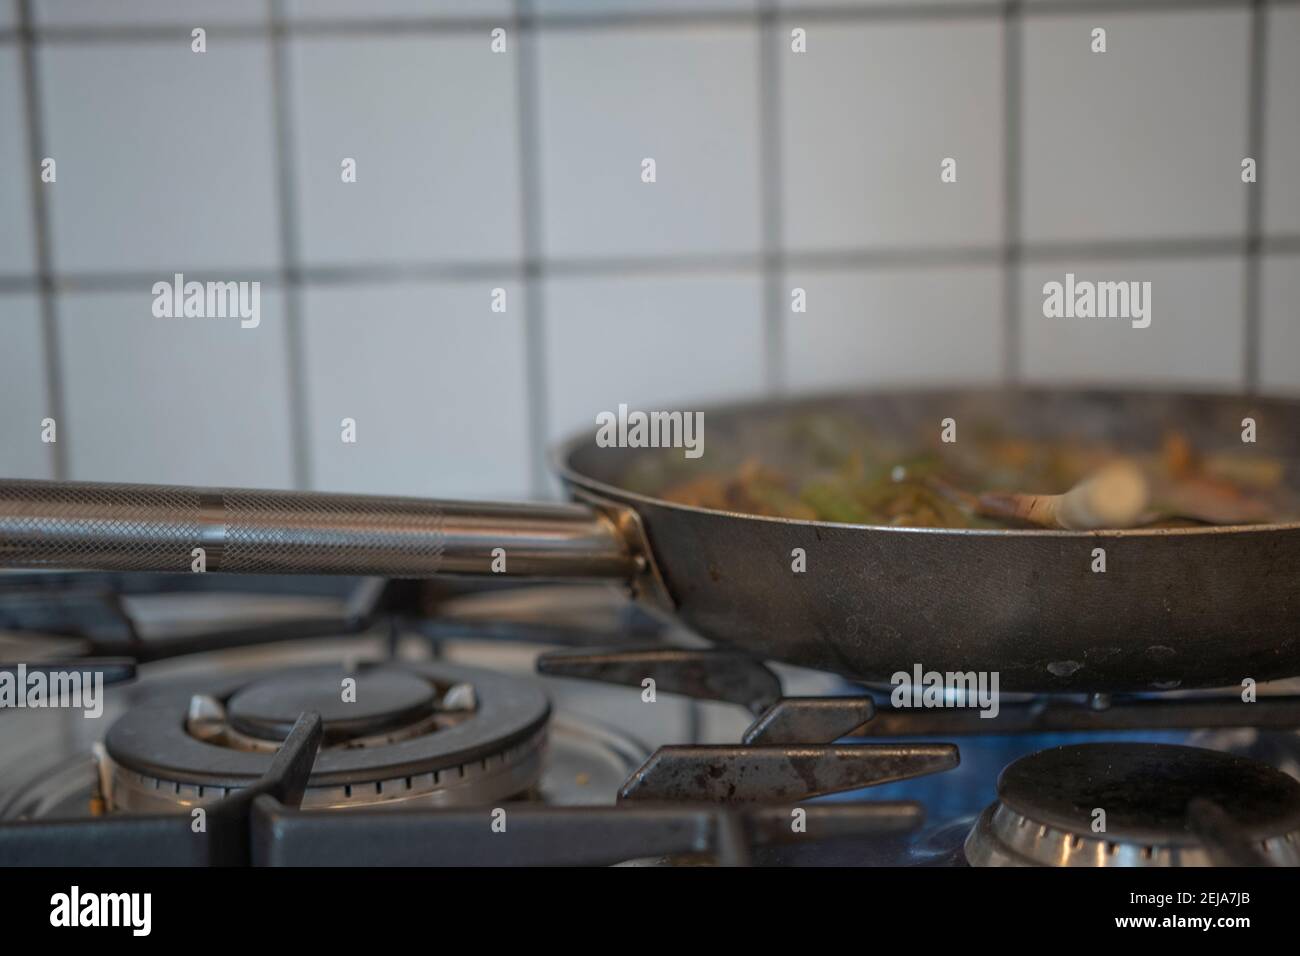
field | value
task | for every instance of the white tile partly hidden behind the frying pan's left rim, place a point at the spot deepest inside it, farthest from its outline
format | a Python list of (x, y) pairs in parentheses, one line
[(655, 344)]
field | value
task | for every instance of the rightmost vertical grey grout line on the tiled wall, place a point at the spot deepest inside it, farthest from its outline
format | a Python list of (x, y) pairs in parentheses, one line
[(1253, 347)]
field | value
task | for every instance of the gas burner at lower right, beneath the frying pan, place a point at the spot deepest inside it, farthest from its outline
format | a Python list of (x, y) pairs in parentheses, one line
[(1048, 802)]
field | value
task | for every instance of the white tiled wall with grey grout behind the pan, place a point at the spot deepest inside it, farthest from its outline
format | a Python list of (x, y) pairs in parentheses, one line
[(523, 172)]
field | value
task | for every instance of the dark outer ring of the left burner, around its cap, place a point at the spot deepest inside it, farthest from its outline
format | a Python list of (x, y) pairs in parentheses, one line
[(492, 752)]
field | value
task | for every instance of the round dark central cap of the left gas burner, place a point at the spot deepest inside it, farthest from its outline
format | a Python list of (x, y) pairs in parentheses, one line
[(384, 699)]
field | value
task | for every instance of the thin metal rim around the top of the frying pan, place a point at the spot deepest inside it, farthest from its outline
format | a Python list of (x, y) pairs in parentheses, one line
[(564, 455)]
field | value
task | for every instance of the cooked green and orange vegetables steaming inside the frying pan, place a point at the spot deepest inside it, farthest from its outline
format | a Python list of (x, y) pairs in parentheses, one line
[(837, 470)]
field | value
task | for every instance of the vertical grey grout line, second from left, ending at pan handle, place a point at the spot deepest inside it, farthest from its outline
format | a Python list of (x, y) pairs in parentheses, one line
[(296, 380)]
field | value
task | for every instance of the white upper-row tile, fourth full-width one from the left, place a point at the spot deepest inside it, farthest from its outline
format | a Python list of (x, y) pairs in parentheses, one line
[(869, 115)]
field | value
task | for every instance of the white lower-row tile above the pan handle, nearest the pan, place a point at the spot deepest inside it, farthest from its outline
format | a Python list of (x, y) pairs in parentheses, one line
[(435, 382)]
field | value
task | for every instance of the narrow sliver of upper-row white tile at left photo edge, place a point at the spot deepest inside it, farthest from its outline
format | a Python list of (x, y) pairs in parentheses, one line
[(18, 245)]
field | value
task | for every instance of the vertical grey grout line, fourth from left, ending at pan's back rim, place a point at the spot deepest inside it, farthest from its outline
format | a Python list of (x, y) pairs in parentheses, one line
[(775, 328)]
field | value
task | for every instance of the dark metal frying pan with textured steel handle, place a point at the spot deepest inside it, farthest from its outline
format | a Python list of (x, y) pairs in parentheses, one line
[(1182, 608)]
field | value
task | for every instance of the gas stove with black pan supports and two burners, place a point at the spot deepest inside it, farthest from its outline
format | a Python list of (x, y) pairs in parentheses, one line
[(320, 721)]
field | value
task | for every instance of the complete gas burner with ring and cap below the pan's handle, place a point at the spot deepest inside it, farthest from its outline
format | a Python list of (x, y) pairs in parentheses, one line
[(414, 734)]
